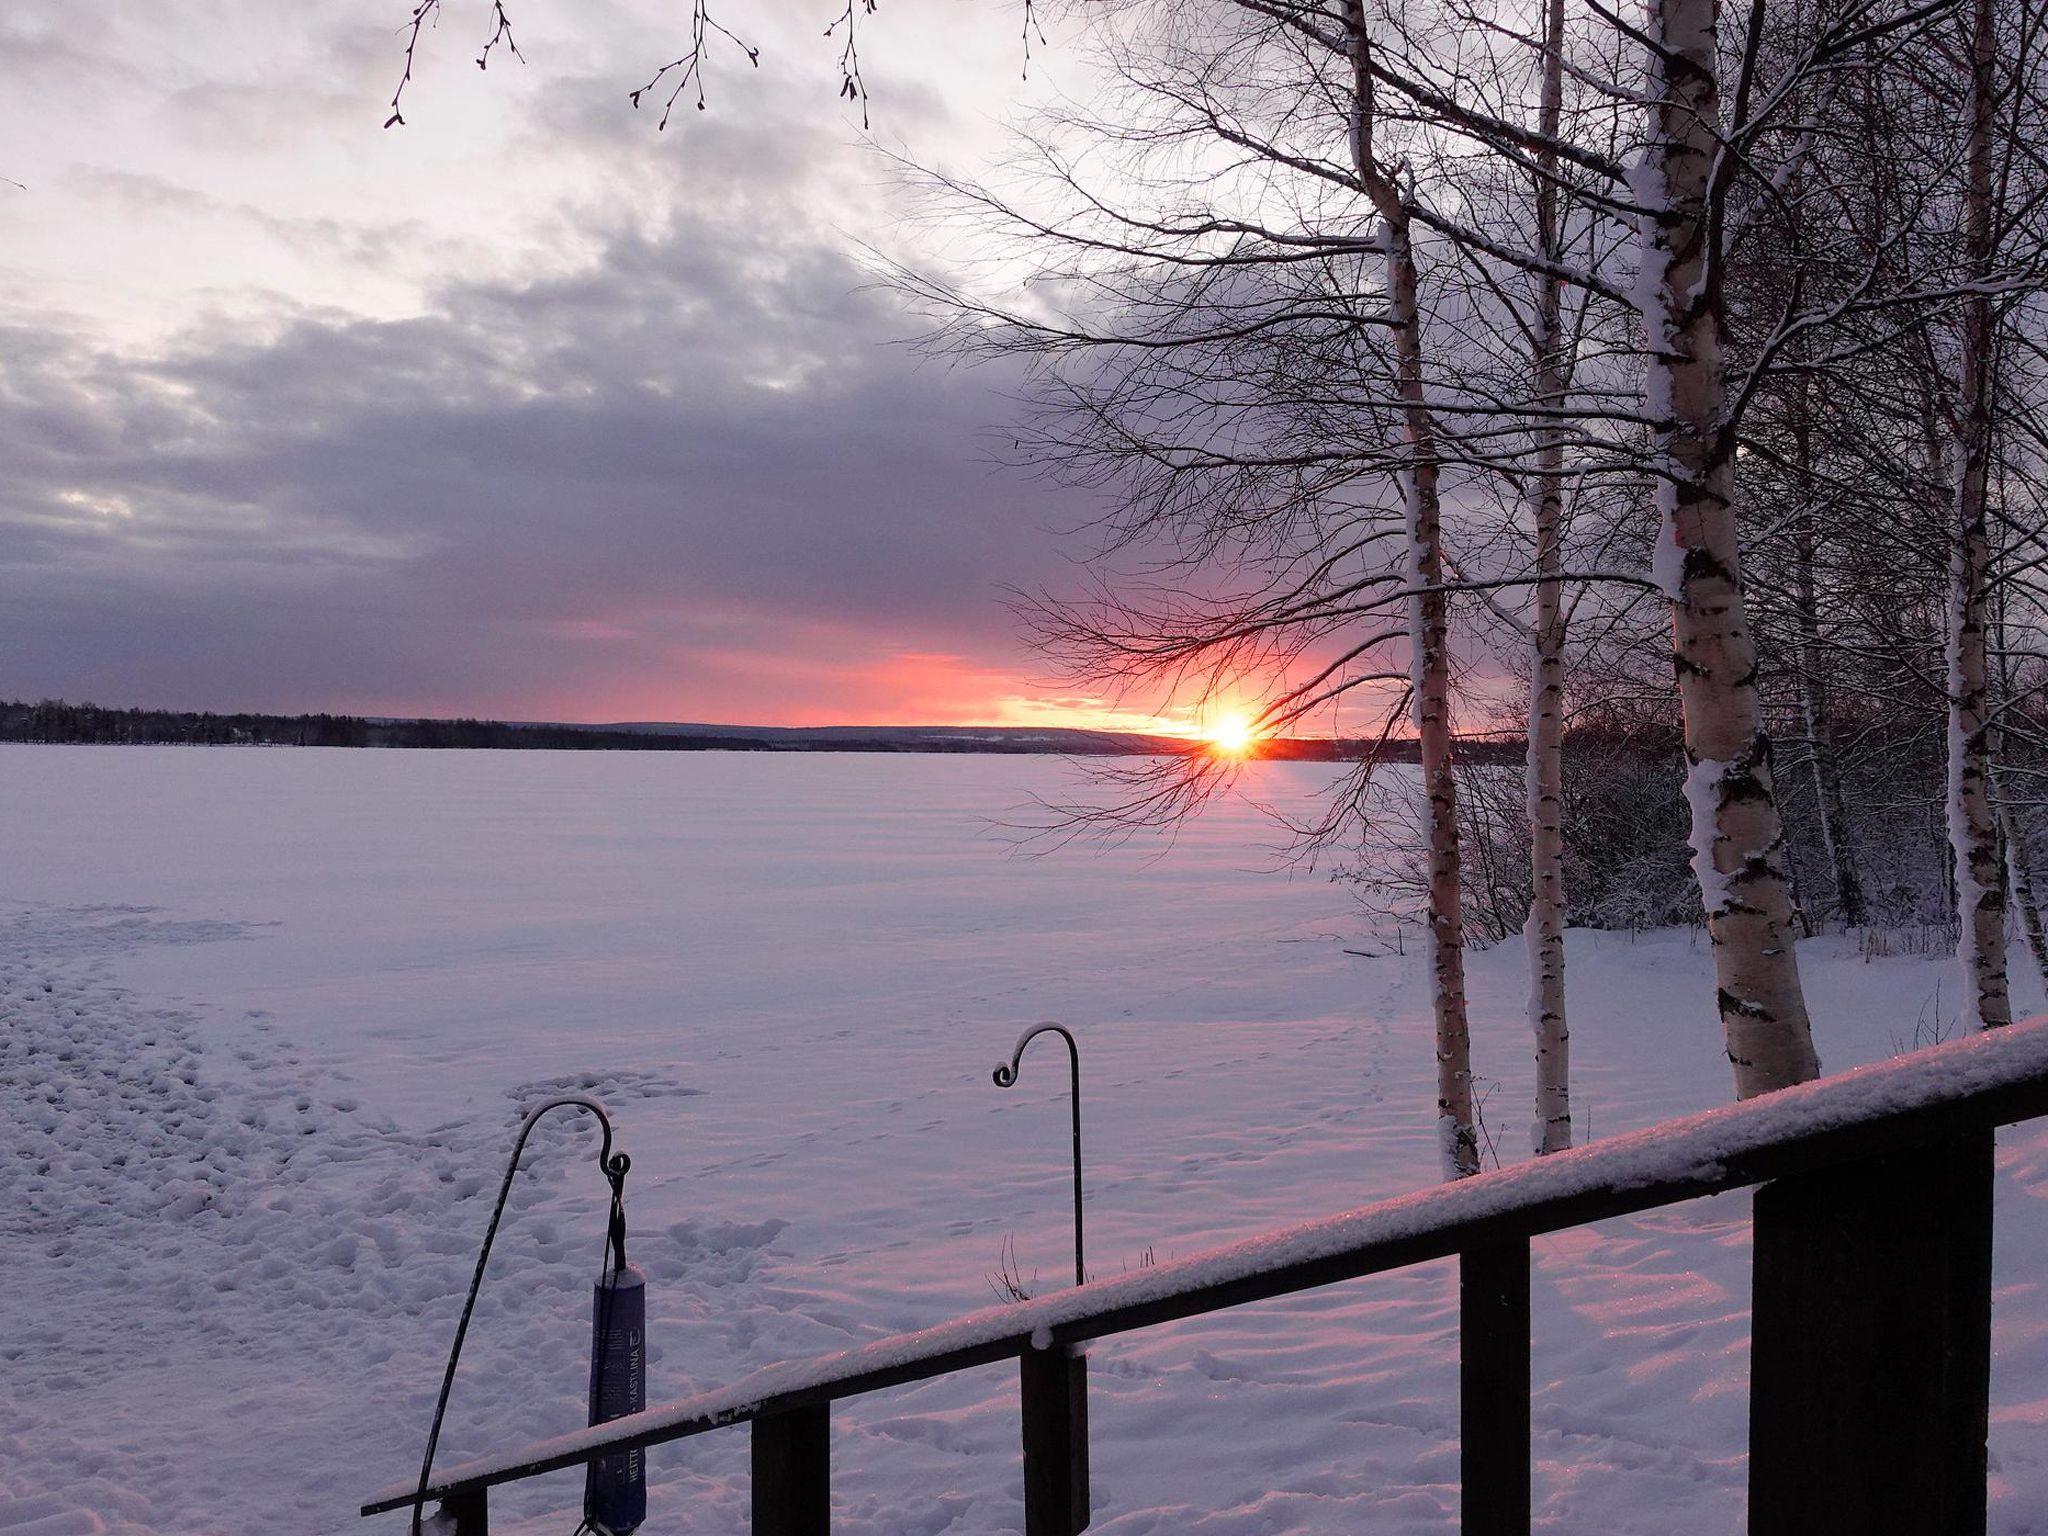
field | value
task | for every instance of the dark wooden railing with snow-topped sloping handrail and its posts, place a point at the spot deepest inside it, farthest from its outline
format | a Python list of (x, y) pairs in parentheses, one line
[(1871, 1332)]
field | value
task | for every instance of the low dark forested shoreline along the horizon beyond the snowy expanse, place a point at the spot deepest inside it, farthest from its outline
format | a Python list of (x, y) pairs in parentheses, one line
[(54, 720)]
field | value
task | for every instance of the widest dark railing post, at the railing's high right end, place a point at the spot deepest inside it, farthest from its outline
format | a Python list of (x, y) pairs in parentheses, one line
[(1871, 1347)]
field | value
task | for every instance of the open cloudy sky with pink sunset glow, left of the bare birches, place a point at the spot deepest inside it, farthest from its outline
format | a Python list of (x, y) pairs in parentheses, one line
[(521, 411)]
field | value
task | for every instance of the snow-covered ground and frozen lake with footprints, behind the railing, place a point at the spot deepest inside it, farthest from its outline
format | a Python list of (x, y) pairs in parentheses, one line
[(267, 1021)]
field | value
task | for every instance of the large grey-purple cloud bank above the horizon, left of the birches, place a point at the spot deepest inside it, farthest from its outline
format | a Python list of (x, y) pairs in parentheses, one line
[(699, 445)]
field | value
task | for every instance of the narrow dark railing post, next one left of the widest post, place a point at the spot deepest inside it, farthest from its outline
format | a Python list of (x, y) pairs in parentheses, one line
[(1494, 1390)]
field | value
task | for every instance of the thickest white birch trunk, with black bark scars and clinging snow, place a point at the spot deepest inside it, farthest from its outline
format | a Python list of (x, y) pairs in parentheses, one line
[(1736, 828)]
